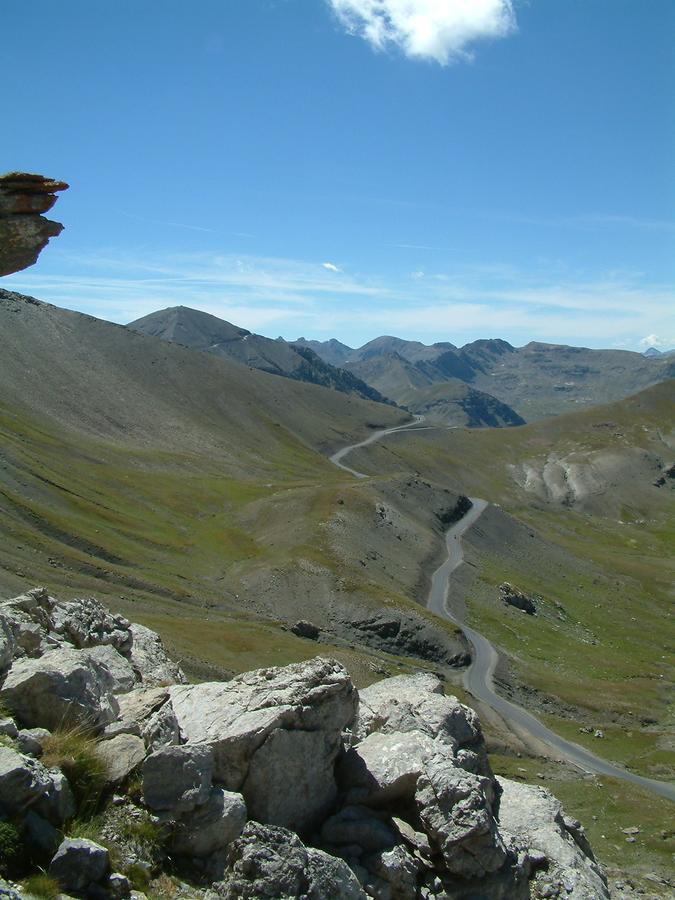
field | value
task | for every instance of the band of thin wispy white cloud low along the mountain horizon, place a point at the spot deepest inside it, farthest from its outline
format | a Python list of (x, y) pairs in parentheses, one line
[(291, 297)]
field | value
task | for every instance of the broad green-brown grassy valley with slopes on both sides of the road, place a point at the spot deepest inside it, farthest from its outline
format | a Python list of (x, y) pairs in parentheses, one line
[(201, 498)]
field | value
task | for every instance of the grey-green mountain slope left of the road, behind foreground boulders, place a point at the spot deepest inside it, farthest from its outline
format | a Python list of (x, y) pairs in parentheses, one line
[(197, 492)]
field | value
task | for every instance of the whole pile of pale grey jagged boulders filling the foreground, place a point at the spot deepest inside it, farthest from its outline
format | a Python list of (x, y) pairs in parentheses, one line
[(280, 783)]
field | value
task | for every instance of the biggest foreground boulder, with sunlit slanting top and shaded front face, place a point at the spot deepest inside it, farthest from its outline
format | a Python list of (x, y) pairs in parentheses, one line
[(268, 724)]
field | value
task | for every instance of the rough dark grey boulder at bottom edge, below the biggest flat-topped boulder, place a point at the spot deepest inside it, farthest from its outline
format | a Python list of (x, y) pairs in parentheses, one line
[(267, 863)]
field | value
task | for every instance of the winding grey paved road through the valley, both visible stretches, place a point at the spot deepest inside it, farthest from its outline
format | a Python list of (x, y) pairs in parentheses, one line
[(478, 678)]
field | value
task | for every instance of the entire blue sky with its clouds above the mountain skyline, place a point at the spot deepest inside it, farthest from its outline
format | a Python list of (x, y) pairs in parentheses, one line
[(342, 168)]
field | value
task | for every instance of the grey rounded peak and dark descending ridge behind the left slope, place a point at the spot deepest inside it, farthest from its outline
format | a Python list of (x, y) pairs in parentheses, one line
[(205, 332)]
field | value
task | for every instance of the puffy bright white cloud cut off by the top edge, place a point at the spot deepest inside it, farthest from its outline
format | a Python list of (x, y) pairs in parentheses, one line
[(439, 30)]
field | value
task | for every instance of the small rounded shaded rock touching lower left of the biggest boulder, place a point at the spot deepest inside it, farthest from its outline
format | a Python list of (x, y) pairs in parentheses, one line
[(211, 827)]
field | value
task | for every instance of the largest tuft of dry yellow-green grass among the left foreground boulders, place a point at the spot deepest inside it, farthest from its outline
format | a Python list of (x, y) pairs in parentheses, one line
[(73, 750)]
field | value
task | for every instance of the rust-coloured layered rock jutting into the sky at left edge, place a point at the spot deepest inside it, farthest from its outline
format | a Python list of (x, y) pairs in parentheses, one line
[(24, 232)]
